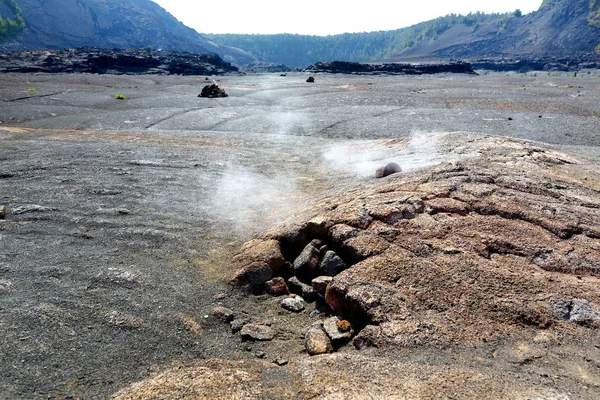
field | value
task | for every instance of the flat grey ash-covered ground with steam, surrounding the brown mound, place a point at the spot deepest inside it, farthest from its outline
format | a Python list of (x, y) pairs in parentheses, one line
[(123, 215)]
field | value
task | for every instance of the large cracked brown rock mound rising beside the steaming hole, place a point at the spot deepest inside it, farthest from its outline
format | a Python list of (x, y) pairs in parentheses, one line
[(495, 245)]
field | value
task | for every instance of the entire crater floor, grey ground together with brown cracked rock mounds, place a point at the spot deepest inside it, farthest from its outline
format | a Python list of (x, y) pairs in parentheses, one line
[(471, 274)]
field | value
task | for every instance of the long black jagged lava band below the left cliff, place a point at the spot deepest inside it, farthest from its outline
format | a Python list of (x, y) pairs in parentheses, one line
[(115, 61)]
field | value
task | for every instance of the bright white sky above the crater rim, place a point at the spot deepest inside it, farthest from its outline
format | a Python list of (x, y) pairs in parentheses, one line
[(325, 17)]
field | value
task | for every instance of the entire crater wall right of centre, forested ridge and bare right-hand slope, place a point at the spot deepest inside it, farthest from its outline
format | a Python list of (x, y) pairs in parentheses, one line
[(563, 29)]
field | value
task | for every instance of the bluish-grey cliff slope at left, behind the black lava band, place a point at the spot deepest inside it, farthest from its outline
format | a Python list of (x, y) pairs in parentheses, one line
[(58, 24)]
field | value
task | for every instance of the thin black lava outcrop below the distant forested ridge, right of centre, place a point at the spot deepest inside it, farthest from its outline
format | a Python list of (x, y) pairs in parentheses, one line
[(344, 67)]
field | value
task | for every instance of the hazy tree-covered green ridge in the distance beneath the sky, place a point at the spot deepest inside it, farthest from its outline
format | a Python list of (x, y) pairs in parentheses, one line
[(302, 50)]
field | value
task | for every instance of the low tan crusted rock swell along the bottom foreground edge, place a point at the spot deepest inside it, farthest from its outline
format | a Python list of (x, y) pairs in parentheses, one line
[(377, 376)]
